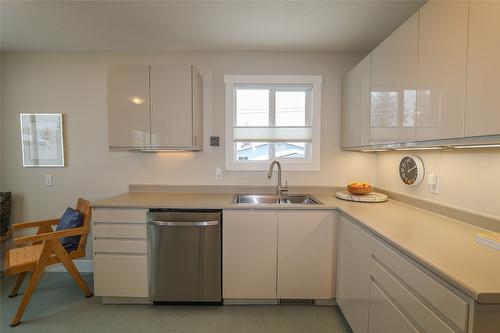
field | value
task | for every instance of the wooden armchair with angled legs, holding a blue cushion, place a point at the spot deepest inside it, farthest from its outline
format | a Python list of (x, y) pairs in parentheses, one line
[(45, 249)]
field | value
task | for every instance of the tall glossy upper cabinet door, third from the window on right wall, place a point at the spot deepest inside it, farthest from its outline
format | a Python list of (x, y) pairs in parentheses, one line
[(442, 62)]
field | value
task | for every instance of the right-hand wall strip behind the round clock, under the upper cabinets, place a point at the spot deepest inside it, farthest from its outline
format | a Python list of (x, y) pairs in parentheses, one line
[(468, 179)]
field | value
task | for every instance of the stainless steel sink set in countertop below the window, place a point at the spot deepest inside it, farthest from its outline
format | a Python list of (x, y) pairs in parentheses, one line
[(262, 199)]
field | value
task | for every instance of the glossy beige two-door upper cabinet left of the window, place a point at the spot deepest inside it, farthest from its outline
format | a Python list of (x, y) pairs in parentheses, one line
[(155, 108)]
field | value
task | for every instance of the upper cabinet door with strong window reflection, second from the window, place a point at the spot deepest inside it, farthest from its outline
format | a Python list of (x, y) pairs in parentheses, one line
[(394, 85)]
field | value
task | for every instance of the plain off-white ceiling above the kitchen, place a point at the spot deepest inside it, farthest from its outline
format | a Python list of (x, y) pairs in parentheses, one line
[(70, 25)]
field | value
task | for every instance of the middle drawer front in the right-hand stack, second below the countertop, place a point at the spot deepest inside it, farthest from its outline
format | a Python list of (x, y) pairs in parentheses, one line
[(411, 305)]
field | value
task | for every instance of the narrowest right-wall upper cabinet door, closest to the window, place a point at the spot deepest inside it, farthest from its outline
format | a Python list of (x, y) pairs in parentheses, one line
[(355, 118)]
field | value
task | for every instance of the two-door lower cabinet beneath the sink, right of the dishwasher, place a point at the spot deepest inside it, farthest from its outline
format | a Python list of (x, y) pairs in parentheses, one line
[(271, 254)]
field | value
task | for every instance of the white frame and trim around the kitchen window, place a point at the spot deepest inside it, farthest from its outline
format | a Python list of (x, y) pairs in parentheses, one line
[(315, 81)]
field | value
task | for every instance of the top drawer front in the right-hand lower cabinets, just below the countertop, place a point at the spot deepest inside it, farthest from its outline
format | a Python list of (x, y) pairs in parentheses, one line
[(445, 301)]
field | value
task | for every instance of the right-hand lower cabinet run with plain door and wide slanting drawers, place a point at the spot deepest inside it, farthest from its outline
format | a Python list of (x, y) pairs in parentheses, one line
[(381, 290)]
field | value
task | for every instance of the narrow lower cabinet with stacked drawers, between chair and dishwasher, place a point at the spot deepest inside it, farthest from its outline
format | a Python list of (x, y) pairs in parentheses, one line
[(120, 253)]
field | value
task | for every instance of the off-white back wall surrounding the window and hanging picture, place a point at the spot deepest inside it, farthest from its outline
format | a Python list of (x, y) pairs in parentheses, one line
[(75, 84)]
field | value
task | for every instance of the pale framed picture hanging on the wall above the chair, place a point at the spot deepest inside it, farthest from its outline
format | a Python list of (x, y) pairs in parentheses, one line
[(42, 140)]
